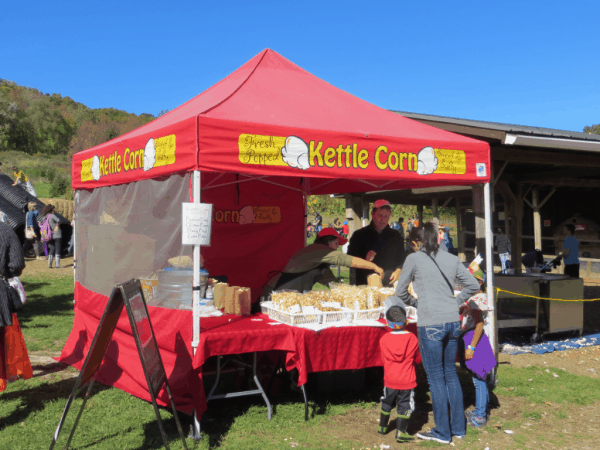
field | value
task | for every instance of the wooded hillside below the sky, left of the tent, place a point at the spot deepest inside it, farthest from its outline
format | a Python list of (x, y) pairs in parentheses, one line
[(34, 122)]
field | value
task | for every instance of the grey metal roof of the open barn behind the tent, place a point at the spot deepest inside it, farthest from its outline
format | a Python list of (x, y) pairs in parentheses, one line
[(534, 131)]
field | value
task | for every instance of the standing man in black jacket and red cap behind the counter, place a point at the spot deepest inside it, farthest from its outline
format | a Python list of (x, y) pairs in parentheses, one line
[(378, 243)]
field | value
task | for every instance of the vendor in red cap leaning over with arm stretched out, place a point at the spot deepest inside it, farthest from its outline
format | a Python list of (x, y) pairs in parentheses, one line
[(310, 265)]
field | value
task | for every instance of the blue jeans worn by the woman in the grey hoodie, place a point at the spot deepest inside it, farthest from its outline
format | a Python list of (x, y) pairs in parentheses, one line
[(438, 345)]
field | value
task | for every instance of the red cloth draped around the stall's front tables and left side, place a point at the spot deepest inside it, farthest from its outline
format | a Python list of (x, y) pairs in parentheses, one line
[(339, 348)]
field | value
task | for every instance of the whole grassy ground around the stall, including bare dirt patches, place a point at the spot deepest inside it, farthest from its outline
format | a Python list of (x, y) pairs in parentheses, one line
[(536, 403)]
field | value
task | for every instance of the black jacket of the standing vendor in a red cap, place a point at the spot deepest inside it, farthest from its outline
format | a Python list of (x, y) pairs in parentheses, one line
[(388, 246)]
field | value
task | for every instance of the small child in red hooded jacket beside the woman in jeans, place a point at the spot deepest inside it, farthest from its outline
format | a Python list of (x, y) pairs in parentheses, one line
[(399, 352)]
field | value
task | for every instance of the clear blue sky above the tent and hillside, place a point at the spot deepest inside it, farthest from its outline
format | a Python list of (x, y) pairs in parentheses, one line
[(524, 62)]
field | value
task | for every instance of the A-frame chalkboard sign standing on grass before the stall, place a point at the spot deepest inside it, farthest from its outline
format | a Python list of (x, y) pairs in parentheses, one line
[(131, 296)]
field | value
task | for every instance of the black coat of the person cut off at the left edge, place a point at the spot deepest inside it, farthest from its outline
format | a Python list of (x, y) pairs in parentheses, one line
[(12, 263)]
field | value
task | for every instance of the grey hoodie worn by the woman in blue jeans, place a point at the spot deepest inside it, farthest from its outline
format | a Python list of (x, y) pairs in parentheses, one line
[(436, 304)]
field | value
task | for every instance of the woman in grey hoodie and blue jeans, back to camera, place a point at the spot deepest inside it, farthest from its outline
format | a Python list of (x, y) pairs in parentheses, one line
[(433, 274)]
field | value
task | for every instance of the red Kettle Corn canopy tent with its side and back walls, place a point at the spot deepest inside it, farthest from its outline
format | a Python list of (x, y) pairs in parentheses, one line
[(263, 139)]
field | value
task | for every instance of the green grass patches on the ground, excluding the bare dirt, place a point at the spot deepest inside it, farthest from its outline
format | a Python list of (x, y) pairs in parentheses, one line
[(112, 419)]
